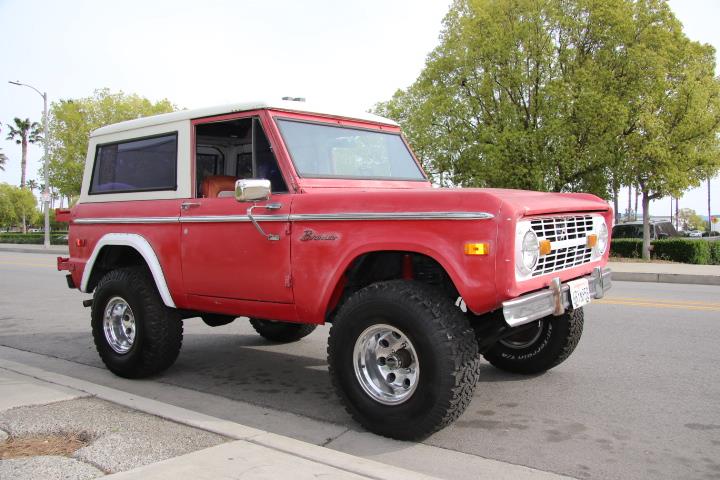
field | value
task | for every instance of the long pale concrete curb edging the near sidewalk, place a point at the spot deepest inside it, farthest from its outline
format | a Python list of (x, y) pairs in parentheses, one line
[(332, 458)]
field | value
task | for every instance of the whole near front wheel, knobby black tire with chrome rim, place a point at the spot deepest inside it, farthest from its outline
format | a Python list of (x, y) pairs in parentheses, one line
[(403, 359)]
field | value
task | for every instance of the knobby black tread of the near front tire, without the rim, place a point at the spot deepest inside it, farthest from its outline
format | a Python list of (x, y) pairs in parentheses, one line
[(448, 327)]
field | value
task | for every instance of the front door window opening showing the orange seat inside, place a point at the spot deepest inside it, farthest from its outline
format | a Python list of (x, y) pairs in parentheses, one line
[(244, 143)]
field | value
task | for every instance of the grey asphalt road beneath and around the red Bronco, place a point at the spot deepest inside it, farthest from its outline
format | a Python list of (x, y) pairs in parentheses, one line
[(638, 398)]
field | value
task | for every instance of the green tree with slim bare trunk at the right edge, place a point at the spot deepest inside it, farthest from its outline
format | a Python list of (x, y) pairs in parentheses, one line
[(675, 115)]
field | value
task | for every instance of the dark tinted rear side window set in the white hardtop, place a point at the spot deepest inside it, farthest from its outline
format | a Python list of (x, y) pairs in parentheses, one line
[(136, 165)]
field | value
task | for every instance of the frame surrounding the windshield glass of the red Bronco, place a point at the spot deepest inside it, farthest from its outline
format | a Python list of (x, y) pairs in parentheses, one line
[(354, 126)]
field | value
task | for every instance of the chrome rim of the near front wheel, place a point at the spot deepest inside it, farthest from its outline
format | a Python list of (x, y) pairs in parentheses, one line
[(386, 364)]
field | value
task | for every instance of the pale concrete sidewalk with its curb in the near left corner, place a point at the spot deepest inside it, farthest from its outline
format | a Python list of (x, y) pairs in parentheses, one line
[(169, 443)]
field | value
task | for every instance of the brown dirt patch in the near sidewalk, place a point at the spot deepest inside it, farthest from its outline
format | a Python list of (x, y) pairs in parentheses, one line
[(63, 444)]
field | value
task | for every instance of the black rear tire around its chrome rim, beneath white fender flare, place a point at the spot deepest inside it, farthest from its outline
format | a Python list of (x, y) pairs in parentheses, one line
[(163, 327)]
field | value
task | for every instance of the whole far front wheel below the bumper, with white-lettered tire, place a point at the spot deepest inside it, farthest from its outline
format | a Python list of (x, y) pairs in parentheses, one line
[(540, 349)]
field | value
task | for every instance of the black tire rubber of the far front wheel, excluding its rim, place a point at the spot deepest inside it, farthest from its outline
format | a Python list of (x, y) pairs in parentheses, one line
[(561, 349)]
